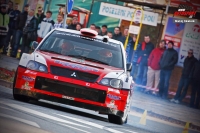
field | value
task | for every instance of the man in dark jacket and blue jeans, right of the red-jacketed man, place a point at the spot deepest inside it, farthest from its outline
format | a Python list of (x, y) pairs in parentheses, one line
[(167, 64)]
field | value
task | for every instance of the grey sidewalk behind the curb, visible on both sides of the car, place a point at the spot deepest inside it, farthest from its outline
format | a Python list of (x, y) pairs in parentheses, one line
[(156, 107)]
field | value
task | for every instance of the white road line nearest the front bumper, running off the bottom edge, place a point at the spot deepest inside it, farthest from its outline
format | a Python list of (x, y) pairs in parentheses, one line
[(91, 124)]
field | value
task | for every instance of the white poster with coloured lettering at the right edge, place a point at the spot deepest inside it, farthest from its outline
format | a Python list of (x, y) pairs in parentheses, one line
[(190, 40)]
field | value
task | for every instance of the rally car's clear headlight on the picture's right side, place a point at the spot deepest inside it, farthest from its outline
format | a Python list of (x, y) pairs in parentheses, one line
[(115, 83)]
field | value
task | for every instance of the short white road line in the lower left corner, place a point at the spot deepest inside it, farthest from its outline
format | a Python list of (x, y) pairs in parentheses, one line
[(21, 120)]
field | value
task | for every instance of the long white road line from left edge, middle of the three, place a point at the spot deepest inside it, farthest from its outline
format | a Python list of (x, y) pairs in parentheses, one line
[(41, 114)]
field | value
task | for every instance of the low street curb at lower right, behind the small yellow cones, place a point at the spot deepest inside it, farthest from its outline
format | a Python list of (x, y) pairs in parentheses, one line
[(165, 118)]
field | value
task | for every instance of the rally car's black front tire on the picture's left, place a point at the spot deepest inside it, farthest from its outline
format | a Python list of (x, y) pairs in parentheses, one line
[(17, 96)]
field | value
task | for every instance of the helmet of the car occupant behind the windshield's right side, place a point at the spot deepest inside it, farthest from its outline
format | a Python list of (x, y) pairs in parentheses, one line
[(105, 55)]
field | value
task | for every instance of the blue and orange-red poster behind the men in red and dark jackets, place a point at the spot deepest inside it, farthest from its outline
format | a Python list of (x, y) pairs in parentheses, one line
[(174, 32)]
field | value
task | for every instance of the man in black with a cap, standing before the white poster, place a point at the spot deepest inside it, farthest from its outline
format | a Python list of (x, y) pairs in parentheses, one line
[(185, 80)]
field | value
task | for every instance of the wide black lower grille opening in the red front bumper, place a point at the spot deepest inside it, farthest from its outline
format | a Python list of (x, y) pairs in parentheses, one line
[(71, 90)]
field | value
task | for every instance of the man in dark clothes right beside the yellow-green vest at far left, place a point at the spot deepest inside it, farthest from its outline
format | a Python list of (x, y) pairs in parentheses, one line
[(11, 32)]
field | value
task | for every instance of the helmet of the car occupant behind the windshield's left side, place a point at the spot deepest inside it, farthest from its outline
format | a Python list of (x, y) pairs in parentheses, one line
[(66, 47)]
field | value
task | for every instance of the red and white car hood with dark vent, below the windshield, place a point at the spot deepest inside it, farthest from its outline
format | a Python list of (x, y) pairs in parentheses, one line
[(79, 64)]
